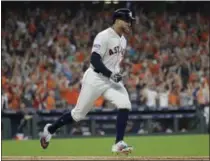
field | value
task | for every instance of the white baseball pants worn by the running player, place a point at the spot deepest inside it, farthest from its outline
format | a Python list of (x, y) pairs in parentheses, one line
[(95, 85)]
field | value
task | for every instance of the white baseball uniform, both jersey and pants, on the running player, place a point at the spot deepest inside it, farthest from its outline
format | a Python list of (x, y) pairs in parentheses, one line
[(111, 48)]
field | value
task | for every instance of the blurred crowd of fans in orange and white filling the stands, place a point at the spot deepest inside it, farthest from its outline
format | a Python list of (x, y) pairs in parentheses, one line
[(46, 51)]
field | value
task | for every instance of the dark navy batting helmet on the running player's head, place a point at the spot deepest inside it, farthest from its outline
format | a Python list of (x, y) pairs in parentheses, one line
[(123, 14)]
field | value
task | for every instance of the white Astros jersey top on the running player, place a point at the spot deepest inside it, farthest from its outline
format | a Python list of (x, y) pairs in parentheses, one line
[(111, 48)]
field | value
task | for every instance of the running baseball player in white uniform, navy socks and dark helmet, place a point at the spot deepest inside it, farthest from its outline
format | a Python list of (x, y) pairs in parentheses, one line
[(102, 78)]
